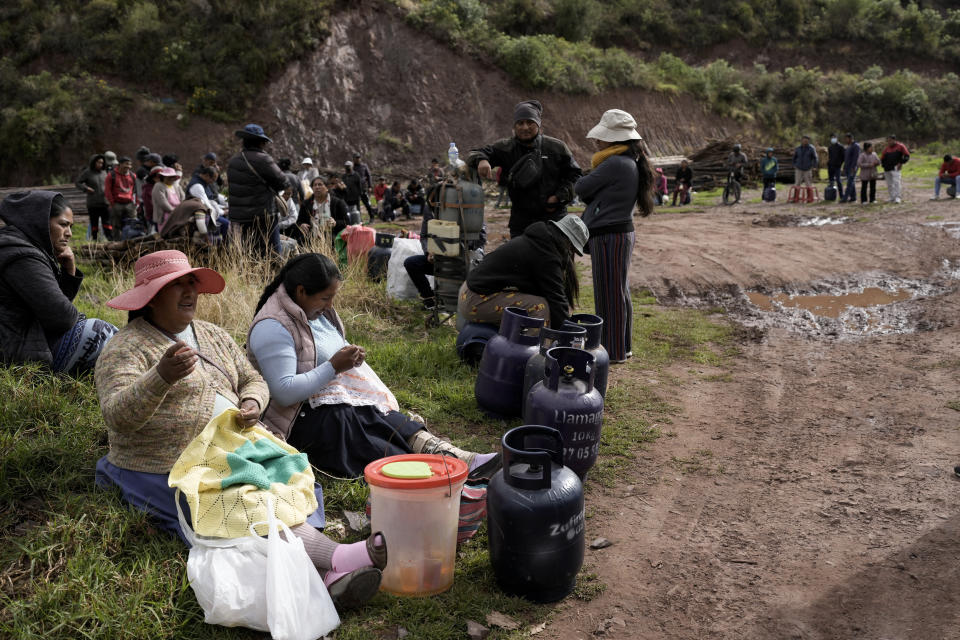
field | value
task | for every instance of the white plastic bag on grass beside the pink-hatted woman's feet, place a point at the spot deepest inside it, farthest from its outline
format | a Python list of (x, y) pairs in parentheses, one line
[(264, 584)]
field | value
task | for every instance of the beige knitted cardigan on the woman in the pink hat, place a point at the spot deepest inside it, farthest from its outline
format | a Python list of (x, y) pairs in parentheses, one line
[(149, 422)]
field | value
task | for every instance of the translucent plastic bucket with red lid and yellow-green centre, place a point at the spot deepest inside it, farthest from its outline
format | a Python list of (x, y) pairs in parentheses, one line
[(415, 502)]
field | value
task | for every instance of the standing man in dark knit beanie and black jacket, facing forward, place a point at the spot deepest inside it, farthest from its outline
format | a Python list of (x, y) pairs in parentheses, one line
[(539, 170)]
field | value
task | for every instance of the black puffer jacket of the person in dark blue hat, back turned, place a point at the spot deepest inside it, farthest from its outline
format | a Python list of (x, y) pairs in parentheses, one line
[(252, 197)]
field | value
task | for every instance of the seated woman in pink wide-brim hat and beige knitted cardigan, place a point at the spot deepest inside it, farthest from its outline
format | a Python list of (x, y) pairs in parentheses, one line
[(163, 377)]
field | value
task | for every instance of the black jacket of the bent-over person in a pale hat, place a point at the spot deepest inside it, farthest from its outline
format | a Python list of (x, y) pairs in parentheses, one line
[(532, 263)]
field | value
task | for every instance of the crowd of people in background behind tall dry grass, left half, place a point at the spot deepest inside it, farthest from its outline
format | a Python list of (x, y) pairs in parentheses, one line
[(267, 202)]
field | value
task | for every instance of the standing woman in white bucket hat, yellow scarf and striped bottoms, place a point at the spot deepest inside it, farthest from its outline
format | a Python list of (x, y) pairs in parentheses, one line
[(620, 180)]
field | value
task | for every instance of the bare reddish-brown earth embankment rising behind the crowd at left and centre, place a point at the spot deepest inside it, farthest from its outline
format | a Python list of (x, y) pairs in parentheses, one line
[(399, 96)]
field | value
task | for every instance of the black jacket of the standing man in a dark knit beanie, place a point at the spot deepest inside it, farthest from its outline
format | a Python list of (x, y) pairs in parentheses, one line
[(560, 172)]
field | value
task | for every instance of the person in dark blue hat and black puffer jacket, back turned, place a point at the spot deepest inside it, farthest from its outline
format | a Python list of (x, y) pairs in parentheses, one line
[(255, 180)]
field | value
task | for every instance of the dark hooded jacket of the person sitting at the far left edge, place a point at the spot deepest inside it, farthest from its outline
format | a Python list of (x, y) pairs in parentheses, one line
[(35, 295)]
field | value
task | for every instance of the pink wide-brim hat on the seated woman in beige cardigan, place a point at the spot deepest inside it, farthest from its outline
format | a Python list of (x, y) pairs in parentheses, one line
[(156, 270)]
